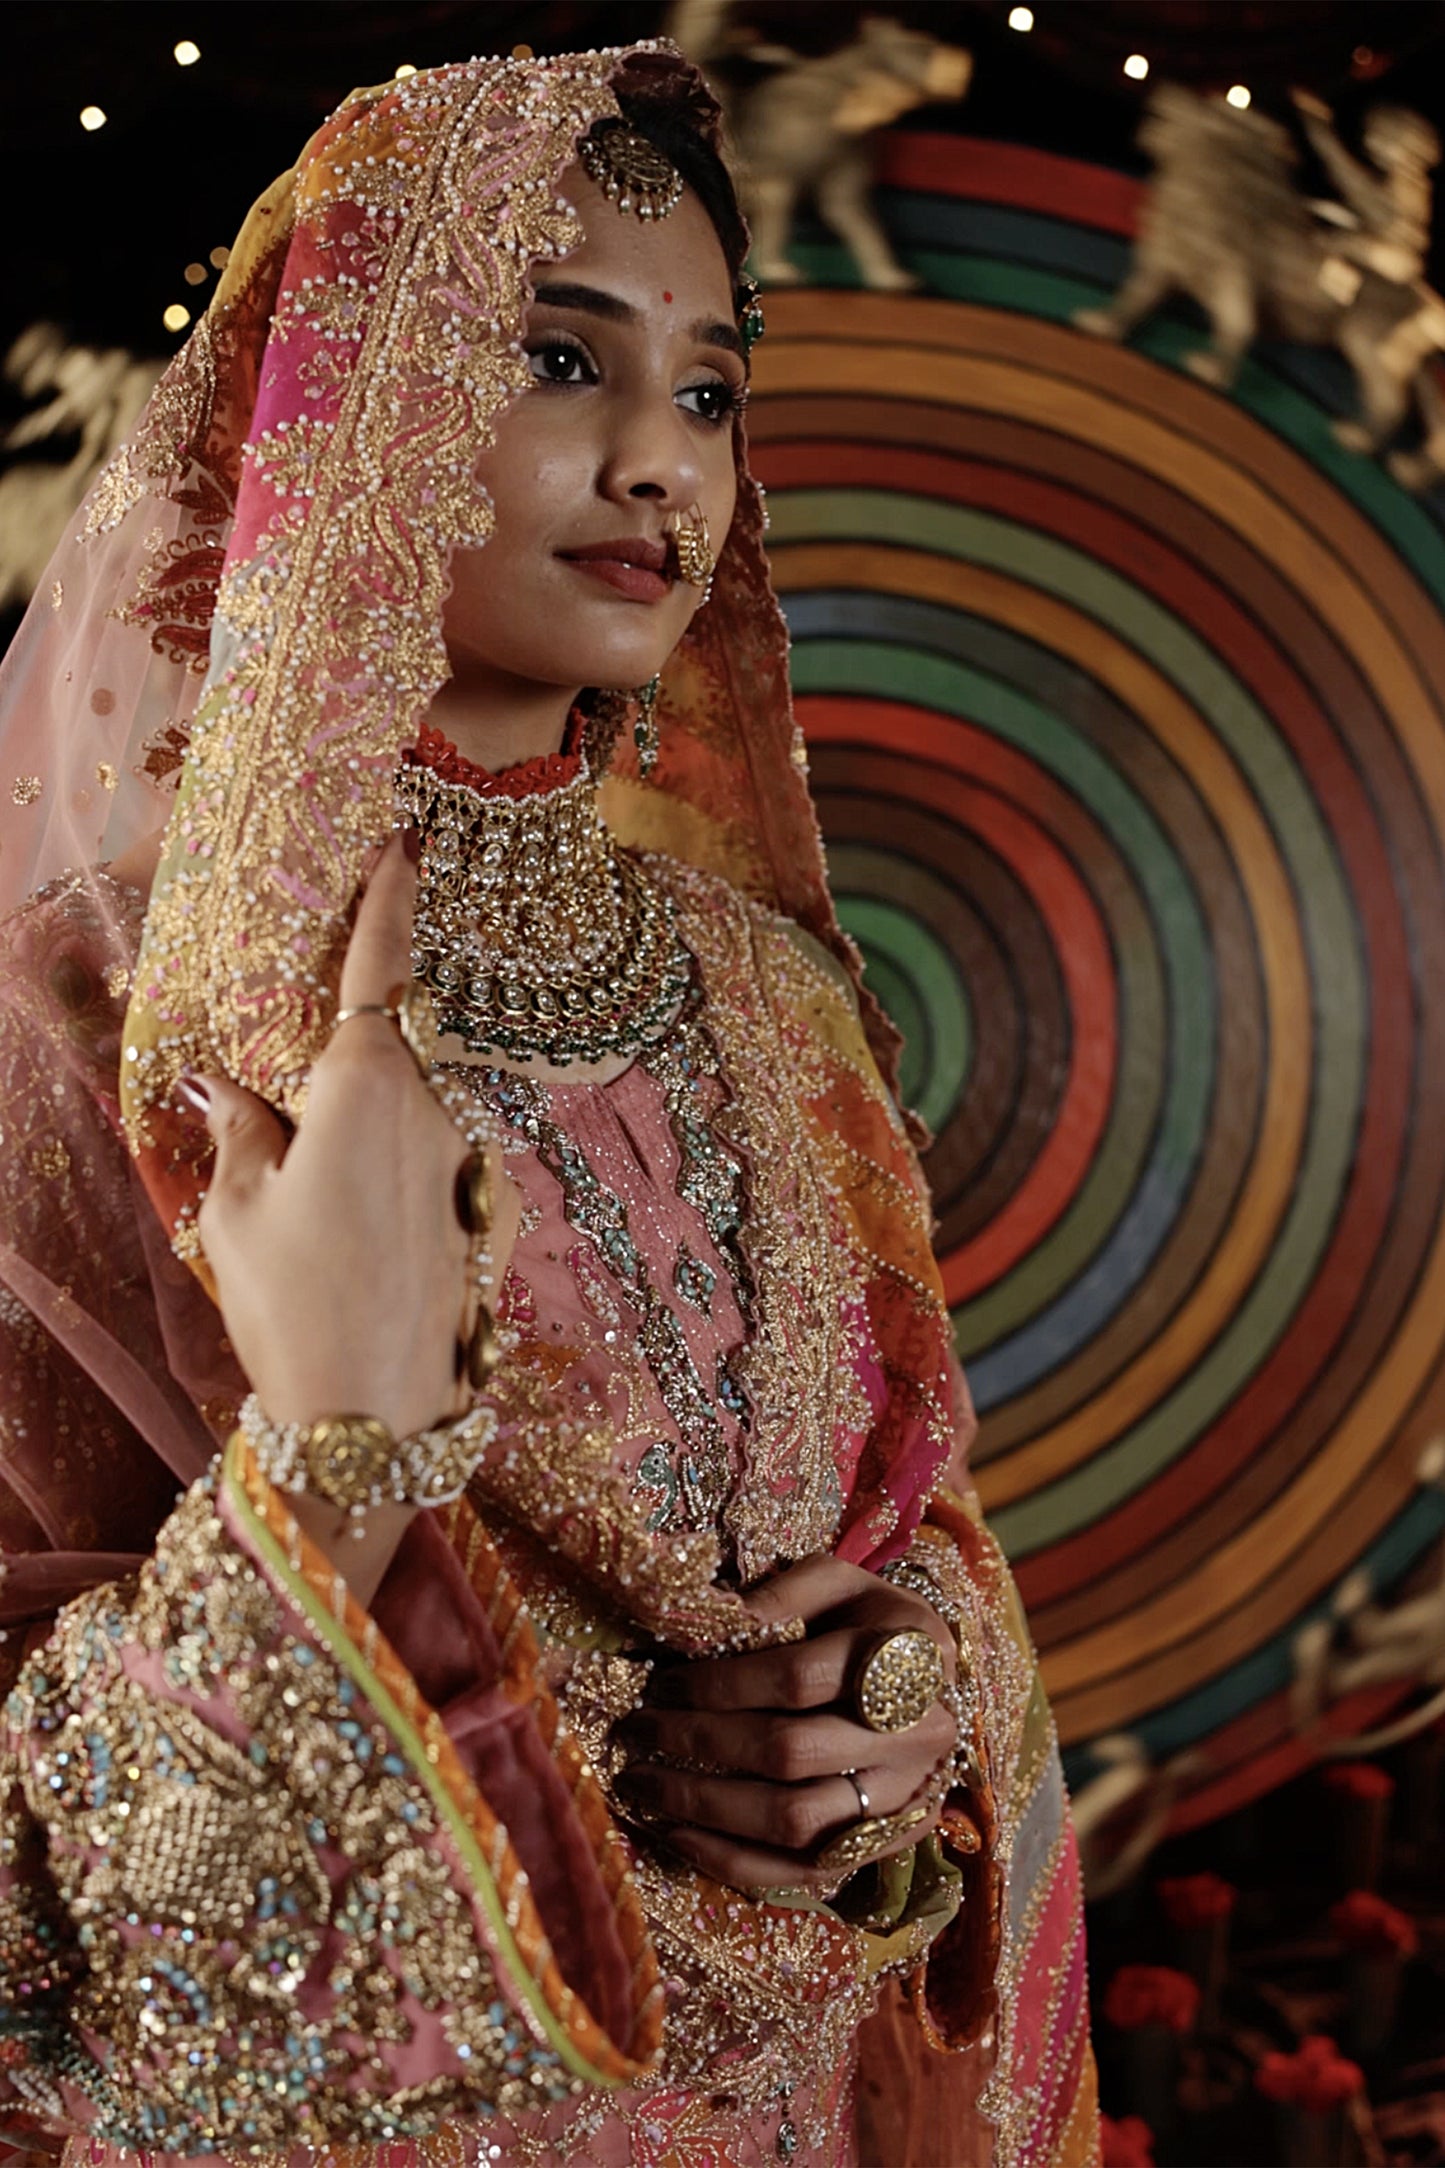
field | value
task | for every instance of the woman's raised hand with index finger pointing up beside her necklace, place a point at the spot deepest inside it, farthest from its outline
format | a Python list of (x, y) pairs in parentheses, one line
[(339, 1252)]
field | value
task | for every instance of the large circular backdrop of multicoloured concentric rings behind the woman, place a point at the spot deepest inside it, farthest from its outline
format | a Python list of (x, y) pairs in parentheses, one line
[(1125, 721)]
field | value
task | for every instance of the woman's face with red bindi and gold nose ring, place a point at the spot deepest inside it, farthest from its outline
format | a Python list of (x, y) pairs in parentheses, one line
[(638, 374)]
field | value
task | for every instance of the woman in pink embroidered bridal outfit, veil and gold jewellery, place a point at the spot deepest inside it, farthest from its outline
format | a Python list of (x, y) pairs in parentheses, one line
[(582, 1692)]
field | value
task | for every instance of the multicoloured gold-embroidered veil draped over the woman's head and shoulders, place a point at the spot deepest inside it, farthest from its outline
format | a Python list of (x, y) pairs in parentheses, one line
[(239, 643)]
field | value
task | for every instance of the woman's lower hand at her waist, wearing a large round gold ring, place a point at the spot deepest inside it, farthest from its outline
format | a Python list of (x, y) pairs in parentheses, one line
[(779, 1727)]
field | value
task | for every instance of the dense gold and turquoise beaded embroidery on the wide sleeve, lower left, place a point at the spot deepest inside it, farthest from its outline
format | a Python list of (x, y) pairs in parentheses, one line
[(194, 1872)]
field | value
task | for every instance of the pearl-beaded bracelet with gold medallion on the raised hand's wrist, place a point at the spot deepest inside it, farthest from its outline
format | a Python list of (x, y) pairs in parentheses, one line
[(354, 1460)]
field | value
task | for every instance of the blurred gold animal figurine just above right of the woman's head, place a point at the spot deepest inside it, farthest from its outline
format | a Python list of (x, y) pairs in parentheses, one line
[(800, 129)]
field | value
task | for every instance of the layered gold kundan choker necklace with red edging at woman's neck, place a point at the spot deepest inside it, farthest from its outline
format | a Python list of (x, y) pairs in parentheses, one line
[(534, 931)]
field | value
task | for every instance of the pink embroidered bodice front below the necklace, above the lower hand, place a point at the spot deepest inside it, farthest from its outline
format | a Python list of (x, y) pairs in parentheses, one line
[(677, 1276)]
